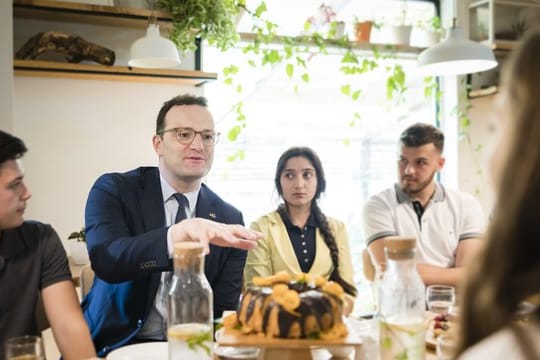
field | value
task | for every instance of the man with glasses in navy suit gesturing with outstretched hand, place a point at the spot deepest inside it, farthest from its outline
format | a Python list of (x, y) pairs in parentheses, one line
[(131, 228)]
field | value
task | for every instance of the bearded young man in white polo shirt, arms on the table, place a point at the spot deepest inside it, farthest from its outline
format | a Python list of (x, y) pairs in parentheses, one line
[(446, 223)]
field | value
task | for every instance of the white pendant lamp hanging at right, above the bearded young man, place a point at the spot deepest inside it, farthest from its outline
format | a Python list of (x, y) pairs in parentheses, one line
[(456, 55)]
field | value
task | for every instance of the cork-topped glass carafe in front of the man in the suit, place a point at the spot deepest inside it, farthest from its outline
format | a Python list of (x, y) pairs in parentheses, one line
[(189, 305)]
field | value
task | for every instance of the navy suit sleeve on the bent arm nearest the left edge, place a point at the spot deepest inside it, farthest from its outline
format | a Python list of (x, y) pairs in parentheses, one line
[(120, 247)]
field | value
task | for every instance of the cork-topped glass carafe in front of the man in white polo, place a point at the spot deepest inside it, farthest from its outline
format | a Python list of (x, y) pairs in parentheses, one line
[(401, 303)]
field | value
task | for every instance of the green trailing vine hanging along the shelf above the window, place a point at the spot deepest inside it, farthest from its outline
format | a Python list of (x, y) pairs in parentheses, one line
[(264, 47)]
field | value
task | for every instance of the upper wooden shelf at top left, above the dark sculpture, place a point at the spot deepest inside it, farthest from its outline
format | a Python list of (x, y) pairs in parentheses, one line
[(50, 10)]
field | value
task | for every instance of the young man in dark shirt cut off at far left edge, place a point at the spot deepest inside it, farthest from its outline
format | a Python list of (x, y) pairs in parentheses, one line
[(33, 264)]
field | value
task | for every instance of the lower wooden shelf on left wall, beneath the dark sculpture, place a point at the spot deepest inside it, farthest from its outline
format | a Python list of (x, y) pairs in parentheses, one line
[(115, 73)]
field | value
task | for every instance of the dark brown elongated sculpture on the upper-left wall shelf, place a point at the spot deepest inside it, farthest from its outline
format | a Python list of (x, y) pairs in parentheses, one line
[(75, 48)]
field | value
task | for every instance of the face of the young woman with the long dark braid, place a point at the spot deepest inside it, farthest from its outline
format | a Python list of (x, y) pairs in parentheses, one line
[(298, 182)]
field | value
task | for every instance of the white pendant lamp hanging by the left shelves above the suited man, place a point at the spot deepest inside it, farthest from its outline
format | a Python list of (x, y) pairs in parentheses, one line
[(153, 51)]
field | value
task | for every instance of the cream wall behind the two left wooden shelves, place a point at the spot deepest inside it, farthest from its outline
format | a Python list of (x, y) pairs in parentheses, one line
[(76, 130)]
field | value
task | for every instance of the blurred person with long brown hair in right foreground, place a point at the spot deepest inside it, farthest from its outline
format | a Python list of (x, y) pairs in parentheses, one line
[(507, 273)]
